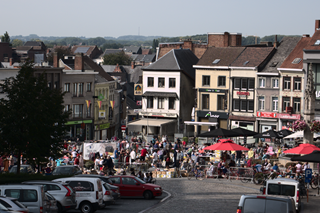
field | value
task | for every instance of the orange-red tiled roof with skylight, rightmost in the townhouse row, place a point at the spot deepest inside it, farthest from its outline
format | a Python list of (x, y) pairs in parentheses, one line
[(297, 52)]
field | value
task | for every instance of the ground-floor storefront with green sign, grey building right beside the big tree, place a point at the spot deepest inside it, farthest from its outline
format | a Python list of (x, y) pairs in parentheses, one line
[(80, 129)]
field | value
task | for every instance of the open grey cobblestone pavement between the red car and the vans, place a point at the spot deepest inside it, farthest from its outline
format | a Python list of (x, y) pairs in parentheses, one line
[(216, 196)]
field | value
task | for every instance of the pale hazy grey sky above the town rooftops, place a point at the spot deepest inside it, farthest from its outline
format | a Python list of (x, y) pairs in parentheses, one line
[(157, 18)]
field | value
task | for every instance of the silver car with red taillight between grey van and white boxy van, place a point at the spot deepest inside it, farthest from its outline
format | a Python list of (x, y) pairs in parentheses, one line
[(62, 192)]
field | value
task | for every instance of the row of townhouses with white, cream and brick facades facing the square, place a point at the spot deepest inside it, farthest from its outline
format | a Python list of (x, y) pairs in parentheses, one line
[(256, 87)]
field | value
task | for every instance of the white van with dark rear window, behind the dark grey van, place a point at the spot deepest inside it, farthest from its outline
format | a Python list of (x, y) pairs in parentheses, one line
[(283, 186)]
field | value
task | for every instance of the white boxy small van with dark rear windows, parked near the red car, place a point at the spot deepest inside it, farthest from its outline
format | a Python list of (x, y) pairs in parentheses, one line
[(89, 194)]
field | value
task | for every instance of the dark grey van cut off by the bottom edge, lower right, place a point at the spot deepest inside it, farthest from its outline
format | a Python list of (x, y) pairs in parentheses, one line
[(266, 204)]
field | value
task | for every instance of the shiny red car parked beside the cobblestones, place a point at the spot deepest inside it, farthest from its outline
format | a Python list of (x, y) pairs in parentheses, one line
[(131, 186)]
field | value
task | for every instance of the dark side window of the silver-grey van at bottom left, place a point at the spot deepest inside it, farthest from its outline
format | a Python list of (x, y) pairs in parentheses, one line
[(23, 195)]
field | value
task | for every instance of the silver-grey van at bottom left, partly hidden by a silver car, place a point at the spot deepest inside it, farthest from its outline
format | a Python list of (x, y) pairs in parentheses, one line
[(31, 196)]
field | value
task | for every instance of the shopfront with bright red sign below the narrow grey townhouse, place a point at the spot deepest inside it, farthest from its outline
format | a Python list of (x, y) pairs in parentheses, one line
[(267, 121)]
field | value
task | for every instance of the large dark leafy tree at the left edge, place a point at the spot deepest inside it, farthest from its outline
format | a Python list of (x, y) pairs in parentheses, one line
[(32, 117)]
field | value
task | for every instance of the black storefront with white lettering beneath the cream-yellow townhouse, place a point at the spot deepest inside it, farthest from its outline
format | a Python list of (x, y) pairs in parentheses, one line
[(221, 118)]
